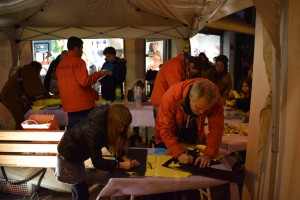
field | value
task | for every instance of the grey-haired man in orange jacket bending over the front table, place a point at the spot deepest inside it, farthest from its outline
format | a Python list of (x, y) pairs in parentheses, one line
[(181, 117)]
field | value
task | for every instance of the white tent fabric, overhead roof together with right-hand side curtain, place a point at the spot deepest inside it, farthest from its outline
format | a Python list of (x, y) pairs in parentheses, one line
[(178, 19)]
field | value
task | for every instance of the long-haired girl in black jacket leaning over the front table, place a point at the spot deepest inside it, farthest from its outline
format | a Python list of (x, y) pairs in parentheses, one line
[(105, 126)]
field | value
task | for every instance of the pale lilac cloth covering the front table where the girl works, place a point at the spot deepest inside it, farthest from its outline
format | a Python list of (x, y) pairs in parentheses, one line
[(155, 185)]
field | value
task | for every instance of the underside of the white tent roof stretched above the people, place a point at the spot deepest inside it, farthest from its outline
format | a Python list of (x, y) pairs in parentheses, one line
[(56, 19)]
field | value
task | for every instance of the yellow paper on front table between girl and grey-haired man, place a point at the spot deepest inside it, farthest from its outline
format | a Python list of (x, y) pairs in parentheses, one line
[(155, 169)]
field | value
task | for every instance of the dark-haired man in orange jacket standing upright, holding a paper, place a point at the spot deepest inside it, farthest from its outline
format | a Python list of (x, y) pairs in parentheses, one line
[(75, 84)]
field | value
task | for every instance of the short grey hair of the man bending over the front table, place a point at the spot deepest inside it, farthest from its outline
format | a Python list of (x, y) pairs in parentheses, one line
[(204, 89)]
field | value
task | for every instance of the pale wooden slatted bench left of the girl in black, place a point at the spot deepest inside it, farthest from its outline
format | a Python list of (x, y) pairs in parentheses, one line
[(30, 148)]
